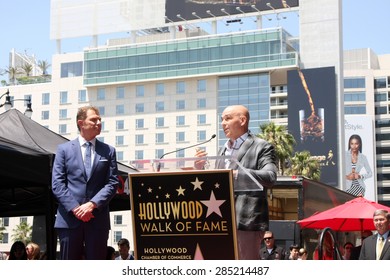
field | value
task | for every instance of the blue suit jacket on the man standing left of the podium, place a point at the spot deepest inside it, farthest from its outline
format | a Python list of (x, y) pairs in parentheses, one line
[(72, 188)]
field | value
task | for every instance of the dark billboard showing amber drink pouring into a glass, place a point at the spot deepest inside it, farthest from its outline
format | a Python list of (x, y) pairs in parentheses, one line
[(312, 117)]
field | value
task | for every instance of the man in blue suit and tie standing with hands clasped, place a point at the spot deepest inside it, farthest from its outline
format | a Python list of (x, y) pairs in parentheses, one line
[(84, 180)]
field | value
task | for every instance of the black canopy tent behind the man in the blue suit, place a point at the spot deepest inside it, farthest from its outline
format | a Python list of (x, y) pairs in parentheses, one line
[(27, 150)]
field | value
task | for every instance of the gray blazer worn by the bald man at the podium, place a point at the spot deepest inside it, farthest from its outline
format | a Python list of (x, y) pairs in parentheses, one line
[(258, 158)]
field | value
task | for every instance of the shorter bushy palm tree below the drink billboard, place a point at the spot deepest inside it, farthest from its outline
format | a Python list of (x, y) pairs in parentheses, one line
[(302, 163)]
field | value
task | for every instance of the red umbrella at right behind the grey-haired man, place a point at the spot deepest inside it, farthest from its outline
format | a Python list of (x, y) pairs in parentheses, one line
[(353, 215)]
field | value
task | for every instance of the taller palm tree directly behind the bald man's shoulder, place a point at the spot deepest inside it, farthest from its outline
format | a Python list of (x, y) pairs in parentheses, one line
[(283, 142)]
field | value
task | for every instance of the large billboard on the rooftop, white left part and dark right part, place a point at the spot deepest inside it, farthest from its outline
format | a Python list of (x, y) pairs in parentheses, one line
[(84, 18)]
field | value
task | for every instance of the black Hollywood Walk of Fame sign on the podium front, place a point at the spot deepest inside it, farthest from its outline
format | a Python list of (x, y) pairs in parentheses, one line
[(183, 215)]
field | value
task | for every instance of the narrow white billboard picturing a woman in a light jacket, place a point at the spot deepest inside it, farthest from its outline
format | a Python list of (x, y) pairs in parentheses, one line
[(360, 156)]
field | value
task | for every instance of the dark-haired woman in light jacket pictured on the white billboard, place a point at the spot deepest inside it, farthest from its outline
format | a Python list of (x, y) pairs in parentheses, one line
[(355, 161)]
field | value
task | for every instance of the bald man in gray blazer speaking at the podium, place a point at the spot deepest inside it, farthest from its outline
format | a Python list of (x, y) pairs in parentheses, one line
[(258, 158)]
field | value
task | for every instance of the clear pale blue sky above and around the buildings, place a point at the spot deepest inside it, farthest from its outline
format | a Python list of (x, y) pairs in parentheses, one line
[(26, 28)]
